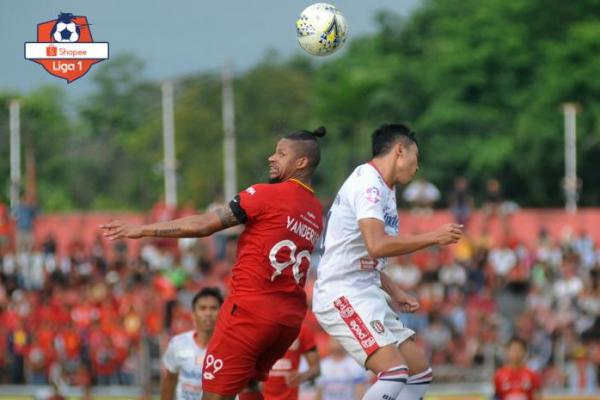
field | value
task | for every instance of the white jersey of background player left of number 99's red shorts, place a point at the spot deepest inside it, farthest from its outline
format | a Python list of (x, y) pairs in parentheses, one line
[(184, 357)]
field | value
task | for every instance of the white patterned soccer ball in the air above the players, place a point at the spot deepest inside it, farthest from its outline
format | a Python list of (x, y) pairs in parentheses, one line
[(321, 29)]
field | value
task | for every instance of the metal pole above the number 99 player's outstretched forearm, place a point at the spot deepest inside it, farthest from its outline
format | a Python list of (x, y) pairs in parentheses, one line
[(170, 162)]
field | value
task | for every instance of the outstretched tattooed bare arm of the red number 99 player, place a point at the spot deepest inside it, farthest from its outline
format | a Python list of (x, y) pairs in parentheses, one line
[(192, 226)]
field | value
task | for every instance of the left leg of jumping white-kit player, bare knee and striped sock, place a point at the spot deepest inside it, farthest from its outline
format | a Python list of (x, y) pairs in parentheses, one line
[(390, 366)]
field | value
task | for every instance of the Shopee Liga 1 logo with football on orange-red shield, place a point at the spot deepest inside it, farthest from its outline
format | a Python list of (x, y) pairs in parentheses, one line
[(65, 47)]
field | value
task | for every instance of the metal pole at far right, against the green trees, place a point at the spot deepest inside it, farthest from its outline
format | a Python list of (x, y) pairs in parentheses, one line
[(570, 111)]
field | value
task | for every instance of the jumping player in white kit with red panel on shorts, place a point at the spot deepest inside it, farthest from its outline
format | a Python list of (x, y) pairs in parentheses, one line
[(353, 296)]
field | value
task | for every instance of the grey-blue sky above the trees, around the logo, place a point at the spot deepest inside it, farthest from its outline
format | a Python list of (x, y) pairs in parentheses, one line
[(174, 37)]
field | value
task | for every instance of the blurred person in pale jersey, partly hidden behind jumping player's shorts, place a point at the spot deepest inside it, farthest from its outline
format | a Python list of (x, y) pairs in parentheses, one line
[(341, 377)]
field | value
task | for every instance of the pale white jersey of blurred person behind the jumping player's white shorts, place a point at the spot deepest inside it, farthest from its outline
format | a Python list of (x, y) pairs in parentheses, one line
[(339, 378)]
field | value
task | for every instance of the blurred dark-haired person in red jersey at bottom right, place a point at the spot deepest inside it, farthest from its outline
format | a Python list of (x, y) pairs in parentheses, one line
[(514, 381)]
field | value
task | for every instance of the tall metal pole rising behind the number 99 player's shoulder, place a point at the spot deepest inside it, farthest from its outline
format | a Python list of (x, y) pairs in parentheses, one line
[(229, 165)]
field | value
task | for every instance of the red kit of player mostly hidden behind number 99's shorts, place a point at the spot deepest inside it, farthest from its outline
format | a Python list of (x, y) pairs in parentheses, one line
[(276, 388)]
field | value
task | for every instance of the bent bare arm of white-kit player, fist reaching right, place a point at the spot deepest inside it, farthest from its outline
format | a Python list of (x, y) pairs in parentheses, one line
[(379, 244)]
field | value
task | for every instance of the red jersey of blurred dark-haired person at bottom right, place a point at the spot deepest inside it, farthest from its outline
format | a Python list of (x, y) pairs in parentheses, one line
[(516, 384)]
